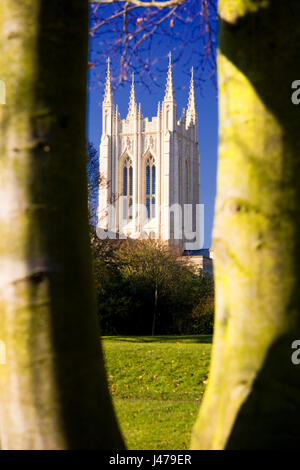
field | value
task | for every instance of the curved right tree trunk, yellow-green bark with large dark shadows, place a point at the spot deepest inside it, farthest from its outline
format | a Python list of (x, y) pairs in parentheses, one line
[(253, 399)]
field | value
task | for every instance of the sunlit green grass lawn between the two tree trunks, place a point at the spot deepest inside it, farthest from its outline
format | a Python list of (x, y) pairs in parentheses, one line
[(157, 384)]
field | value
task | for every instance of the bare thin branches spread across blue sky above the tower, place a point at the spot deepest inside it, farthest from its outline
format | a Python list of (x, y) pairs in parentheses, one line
[(133, 30)]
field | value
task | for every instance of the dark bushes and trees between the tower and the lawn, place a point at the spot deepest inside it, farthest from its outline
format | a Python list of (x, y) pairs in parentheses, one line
[(143, 288)]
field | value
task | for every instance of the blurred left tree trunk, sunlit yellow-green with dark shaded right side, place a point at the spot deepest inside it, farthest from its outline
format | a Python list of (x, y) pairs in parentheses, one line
[(53, 389)]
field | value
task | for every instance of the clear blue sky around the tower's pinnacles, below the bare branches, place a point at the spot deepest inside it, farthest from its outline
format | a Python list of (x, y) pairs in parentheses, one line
[(206, 101)]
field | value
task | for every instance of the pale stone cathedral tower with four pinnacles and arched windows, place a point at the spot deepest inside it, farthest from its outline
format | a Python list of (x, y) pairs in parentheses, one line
[(150, 168)]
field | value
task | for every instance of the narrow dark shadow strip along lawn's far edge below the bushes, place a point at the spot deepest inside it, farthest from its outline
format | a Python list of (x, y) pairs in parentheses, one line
[(204, 339)]
